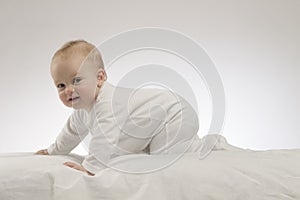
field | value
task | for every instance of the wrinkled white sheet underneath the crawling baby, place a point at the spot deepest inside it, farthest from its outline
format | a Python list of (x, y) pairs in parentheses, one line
[(226, 173)]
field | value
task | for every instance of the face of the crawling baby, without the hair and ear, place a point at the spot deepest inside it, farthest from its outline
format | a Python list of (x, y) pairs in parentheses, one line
[(75, 83)]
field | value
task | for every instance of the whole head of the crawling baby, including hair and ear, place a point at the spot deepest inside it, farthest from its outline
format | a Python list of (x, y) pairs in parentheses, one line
[(78, 73)]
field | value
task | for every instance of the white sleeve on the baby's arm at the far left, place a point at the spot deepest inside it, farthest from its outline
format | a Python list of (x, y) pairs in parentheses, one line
[(70, 136)]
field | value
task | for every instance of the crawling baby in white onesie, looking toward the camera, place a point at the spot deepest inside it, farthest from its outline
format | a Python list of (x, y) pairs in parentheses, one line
[(120, 120)]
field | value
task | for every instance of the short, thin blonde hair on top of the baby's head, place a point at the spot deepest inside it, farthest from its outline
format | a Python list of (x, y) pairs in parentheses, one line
[(80, 46)]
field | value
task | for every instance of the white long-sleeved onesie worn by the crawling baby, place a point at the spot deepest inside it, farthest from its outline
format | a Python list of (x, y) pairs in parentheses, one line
[(126, 121)]
